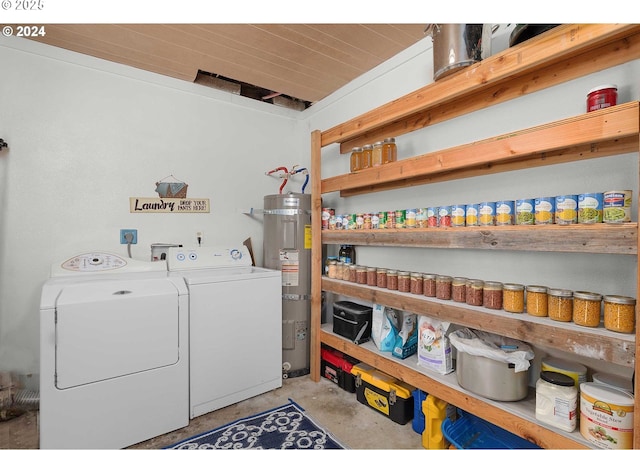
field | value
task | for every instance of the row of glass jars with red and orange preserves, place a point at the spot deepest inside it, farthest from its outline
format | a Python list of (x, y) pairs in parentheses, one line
[(589, 309)]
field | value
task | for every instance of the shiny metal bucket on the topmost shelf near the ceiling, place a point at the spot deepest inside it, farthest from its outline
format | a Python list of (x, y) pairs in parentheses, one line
[(456, 46)]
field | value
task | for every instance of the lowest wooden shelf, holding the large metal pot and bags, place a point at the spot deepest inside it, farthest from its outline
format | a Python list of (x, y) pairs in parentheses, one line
[(517, 417)]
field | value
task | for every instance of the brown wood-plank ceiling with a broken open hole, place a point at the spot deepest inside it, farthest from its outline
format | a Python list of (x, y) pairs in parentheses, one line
[(304, 62)]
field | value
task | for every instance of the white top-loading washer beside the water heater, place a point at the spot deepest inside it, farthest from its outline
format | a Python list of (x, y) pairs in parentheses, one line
[(235, 325)]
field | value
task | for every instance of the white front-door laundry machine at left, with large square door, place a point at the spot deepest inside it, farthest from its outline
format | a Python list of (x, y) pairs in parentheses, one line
[(113, 352)]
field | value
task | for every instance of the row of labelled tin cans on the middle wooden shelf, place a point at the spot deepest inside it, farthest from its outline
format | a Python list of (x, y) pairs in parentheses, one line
[(607, 207)]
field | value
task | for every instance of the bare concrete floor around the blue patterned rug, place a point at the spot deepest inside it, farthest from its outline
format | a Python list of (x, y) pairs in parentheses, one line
[(353, 424)]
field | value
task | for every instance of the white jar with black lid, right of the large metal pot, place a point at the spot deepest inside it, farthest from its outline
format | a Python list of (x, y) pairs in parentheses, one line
[(557, 400)]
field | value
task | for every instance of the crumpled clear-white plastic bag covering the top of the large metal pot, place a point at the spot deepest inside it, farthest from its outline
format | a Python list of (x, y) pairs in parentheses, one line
[(493, 346)]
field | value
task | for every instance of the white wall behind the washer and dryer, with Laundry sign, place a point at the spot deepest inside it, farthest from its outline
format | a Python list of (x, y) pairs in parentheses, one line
[(84, 135)]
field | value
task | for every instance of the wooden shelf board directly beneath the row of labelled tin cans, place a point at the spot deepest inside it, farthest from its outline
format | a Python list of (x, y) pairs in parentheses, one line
[(593, 238)]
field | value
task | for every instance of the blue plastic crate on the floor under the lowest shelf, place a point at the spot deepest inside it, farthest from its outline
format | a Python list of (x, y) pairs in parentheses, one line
[(470, 431)]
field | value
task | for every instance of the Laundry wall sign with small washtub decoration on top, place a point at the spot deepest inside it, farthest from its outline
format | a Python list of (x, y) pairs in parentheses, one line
[(172, 195)]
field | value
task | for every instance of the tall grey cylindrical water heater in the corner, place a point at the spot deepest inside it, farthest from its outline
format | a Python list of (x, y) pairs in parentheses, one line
[(287, 247)]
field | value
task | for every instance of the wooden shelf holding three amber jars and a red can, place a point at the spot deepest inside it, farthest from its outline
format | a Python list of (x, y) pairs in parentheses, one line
[(606, 132)]
